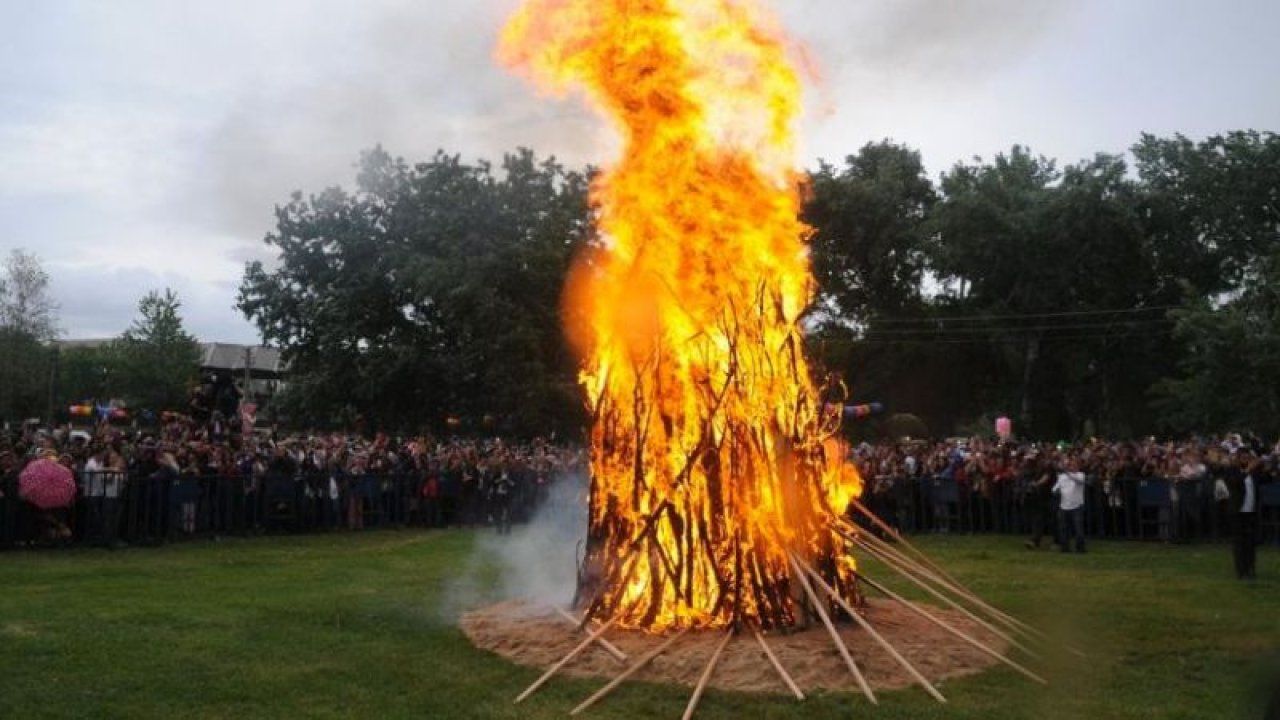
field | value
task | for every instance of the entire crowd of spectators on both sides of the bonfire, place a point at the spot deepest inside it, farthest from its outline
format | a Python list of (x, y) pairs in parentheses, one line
[(202, 476)]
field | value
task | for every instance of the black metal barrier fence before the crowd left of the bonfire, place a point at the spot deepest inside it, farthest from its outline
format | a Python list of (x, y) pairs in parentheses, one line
[(118, 508)]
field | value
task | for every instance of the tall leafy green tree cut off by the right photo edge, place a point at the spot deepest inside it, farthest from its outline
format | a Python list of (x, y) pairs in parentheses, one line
[(1214, 211)]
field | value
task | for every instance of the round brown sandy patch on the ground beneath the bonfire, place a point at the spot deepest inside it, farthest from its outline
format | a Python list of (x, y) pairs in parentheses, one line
[(540, 637)]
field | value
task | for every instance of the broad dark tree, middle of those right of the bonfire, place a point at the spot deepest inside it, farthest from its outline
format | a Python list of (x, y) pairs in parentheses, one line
[(1053, 276)]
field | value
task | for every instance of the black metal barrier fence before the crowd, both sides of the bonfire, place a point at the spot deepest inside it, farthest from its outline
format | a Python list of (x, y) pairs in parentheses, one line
[(116, 508)]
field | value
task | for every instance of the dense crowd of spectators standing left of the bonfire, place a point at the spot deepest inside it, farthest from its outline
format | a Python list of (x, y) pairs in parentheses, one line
[(191, 477)]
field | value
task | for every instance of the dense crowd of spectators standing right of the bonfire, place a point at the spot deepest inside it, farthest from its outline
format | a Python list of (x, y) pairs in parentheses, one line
[(1209, 487)]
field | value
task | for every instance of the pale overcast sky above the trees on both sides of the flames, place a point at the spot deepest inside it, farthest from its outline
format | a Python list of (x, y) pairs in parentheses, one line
[(145, 143)]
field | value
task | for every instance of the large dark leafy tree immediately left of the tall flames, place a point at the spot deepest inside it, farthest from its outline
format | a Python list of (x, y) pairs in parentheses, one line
[(431, 291)]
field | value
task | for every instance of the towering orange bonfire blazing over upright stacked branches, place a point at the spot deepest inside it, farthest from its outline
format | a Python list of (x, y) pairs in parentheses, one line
[(712, 455)]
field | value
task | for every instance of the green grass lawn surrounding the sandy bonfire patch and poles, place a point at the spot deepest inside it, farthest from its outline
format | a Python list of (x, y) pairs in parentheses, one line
[(363, 626)]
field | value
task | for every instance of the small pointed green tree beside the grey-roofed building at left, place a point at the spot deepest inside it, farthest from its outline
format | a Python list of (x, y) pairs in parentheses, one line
[(158, 358)]
